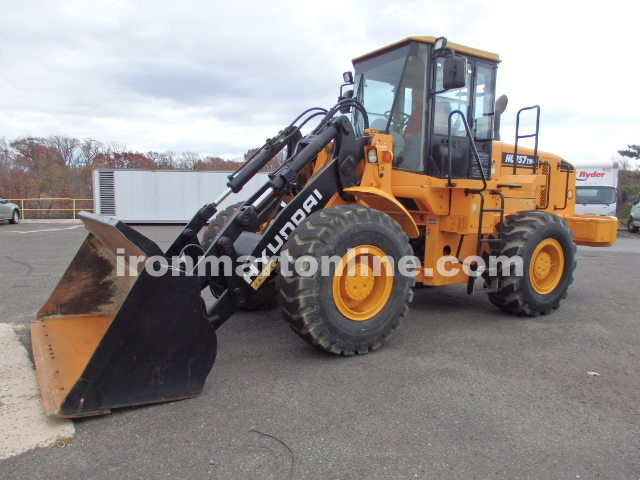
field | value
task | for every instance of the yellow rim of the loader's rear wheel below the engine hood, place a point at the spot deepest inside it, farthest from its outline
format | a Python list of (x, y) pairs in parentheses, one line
[(547, 266)]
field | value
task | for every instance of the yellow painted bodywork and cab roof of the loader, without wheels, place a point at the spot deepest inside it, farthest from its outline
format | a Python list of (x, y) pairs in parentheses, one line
[(448, 218)]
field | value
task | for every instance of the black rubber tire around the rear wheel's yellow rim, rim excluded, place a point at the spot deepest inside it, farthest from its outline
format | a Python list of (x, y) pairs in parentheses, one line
[(520, 235)]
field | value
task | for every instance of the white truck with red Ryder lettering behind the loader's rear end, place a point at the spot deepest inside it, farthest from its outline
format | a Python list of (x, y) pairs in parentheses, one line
[(597, 189)]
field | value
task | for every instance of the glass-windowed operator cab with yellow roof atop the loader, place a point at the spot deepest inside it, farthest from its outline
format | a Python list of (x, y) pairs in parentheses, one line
[(412, 89)]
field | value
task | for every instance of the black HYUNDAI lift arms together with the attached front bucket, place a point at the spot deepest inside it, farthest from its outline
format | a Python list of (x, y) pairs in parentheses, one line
[(113, 334)]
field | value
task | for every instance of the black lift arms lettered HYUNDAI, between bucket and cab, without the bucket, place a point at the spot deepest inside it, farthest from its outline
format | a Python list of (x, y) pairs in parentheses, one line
[(238, 240)]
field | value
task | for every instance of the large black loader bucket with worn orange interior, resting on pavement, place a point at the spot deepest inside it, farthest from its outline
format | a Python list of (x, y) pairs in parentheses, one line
[(105, 340)]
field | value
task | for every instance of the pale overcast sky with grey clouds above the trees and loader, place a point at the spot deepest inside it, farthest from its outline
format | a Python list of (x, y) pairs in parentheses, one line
[(218, 77)]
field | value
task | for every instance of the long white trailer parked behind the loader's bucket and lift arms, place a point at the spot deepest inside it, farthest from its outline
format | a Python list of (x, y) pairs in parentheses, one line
[(161, 196)]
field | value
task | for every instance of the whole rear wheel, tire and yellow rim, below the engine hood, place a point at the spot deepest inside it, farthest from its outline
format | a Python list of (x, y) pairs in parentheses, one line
[(545, 244)]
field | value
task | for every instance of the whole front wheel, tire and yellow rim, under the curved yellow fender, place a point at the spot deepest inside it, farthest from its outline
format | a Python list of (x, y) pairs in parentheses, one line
[(346, 314)]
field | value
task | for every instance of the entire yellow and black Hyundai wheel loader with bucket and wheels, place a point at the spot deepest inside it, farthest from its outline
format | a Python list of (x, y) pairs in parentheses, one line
[(407, 165)]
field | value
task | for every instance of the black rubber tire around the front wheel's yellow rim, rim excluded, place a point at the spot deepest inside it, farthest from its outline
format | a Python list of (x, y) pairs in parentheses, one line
[(307, 301)]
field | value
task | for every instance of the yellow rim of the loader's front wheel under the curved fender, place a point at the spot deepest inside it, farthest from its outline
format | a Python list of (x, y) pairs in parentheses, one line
[(362, 283)]
